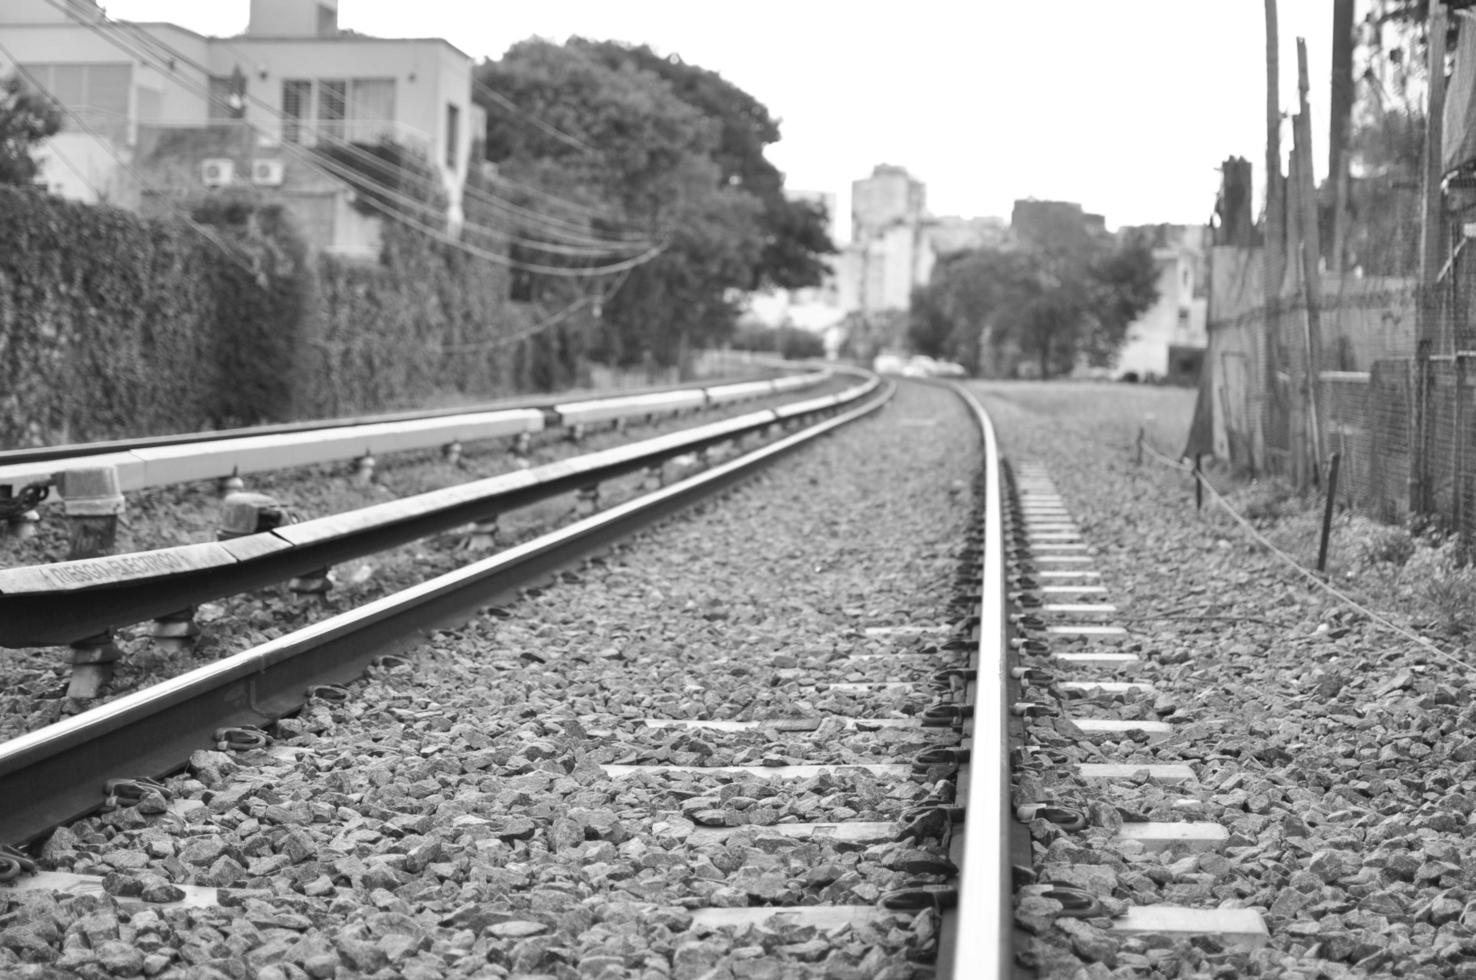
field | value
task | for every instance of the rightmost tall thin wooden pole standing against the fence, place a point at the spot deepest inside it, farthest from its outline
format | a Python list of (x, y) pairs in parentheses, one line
[(1432, 253)]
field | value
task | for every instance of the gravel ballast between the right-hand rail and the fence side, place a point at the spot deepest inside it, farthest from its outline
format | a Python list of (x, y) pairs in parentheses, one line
[(1338, 756)]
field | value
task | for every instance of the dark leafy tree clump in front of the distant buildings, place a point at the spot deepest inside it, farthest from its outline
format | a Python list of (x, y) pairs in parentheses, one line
[(988, 308)]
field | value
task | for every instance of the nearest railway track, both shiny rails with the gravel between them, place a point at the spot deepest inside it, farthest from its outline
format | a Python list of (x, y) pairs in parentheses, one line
[(790, 817)]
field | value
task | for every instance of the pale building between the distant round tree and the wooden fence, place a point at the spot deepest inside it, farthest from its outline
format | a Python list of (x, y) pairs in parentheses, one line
[(1168, 342)]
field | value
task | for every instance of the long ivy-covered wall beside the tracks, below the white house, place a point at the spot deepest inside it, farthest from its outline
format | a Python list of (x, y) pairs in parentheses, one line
[(114, 325)]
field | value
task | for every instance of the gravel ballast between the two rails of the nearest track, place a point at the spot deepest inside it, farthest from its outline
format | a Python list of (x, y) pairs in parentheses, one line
[(455, 815)]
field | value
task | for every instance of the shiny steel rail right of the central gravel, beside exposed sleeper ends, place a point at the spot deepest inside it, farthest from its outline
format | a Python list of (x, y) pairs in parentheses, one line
[(979, 935)]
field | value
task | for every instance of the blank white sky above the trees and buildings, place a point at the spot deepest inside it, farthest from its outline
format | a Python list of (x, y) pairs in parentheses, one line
[(1127, 108)]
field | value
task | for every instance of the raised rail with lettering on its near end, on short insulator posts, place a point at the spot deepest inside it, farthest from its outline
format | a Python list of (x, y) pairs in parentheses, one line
[(67, 601)]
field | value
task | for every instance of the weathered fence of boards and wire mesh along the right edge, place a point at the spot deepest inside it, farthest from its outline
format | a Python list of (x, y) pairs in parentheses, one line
[(1373, 368)]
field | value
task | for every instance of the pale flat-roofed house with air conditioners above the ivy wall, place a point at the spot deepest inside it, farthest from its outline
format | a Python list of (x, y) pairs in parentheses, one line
[(160, 116)]
